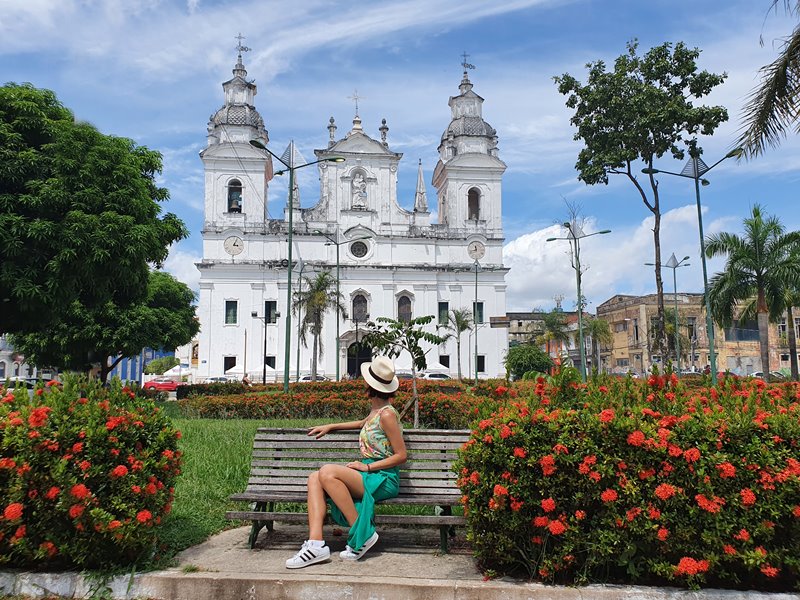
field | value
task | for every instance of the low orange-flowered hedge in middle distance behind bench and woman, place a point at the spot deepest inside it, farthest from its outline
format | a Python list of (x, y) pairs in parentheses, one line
[(346, 400)]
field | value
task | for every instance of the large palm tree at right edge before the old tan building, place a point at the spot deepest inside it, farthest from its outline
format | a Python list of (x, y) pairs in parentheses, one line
[(760, 267)]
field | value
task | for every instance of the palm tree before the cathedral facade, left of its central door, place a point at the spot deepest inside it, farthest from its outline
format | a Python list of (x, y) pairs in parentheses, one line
[(313, 300)]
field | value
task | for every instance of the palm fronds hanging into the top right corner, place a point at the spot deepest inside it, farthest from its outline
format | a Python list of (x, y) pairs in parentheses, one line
[(772, 107)]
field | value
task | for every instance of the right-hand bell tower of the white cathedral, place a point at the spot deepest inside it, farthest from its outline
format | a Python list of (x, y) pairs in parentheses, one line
[(468, 175)]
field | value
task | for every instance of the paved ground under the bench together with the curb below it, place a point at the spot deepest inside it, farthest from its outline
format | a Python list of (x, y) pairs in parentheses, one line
[(405, 564)]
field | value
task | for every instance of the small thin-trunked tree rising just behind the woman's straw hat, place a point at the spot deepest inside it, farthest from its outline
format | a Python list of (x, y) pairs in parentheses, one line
[(392, 337)]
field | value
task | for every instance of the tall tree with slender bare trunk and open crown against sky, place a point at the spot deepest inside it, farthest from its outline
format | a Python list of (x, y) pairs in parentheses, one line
[(644, 108)]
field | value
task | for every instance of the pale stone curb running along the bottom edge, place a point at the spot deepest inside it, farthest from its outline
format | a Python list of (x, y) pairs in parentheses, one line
[(176, 585)]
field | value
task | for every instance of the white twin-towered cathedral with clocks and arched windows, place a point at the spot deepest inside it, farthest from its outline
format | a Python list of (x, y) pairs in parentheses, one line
[(393, 262)]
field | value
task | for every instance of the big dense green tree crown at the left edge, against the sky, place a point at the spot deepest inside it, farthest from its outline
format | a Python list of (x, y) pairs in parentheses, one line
[(79, 213)]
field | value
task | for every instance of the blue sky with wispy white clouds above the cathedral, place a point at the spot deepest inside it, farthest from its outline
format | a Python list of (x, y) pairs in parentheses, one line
[(152, 70)]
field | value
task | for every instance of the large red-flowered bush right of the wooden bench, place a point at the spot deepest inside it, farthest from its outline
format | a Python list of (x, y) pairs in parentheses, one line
[(645, 481)]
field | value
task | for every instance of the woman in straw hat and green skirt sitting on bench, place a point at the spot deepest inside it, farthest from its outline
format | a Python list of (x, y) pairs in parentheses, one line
[(352, 489)]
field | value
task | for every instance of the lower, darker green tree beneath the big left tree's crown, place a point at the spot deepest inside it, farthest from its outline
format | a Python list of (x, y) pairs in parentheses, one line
[(87, 335)]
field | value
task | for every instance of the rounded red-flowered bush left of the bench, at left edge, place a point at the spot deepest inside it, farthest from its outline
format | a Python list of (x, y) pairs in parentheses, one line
[(86, 475)]
